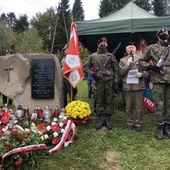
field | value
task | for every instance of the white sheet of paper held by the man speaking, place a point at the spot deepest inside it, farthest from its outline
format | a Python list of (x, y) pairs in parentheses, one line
[(131, 79)]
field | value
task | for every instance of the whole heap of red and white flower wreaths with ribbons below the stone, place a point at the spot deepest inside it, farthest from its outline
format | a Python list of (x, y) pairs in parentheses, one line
[(24, 141)]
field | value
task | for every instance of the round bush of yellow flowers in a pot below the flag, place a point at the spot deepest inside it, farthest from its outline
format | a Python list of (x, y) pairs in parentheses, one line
[(78, 111)]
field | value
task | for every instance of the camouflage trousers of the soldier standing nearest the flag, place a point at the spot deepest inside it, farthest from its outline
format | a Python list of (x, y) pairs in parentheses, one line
[(104, 98)]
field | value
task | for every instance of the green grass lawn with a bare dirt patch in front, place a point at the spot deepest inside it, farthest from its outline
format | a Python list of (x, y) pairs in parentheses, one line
[(116, 149)]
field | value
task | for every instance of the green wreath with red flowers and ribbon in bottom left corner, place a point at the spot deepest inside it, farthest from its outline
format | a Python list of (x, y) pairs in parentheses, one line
[(20, 148)]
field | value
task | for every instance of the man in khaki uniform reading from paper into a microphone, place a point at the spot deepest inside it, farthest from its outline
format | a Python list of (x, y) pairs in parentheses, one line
[(133, 86)]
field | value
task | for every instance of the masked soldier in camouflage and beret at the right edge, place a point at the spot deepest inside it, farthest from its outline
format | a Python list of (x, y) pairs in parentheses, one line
[(160, 77)]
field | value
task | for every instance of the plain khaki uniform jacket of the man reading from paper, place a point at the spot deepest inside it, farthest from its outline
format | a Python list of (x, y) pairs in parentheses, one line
[(124, 69)]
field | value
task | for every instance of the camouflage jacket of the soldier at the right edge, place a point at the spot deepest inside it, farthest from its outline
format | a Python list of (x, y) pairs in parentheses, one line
[(153, 53)]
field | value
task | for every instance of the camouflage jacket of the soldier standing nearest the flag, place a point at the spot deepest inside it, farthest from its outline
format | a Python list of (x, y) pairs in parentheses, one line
[(95, 63)]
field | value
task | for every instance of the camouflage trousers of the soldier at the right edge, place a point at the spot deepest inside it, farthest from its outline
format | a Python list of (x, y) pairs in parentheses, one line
[(161, 97)]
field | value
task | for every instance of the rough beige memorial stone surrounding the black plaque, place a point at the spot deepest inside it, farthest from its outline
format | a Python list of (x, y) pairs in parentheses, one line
[(18, 86)]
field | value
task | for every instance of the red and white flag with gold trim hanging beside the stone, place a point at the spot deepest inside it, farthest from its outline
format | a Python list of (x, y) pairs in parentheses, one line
[(72, 68)]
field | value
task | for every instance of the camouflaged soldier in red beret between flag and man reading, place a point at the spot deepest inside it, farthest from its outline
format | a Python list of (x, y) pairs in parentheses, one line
[(104, 82)]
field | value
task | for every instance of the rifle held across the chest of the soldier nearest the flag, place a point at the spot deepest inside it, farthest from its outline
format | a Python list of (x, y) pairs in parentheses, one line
[(101, 71)]
